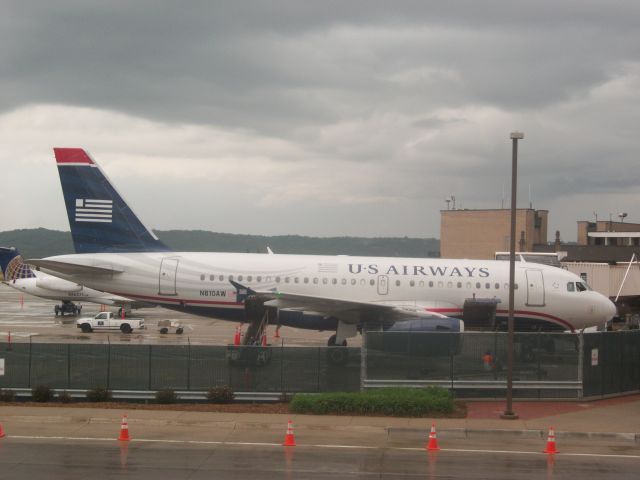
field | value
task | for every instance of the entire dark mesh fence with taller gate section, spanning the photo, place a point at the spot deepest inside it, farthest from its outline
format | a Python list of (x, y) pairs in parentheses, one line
[(546, 365)]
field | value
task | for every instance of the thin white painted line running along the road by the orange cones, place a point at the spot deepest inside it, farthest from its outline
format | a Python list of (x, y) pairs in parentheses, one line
[(352, 447)]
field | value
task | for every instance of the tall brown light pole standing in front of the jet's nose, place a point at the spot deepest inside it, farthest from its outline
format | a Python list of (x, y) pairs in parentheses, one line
[(509, 414)]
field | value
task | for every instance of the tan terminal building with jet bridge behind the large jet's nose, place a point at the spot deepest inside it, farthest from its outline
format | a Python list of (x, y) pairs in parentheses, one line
[(606, 254)]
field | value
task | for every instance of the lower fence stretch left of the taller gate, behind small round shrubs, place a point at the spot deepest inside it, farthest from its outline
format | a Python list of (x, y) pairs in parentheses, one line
[(180, 367)]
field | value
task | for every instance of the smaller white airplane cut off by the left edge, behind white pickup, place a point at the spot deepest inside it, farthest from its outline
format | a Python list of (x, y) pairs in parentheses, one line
[(17, 274)]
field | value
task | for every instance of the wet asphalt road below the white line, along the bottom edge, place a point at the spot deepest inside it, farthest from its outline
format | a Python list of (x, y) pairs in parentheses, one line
[(26, 459)]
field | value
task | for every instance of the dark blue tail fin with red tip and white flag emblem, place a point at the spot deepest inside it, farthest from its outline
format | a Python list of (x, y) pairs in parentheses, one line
[(99, 218)]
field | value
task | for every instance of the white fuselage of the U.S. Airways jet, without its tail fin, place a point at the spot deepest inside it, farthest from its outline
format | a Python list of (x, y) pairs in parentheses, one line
[(200, 283)]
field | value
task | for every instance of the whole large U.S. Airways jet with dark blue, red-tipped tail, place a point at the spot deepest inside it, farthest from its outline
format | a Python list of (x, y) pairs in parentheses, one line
[(117, 253)]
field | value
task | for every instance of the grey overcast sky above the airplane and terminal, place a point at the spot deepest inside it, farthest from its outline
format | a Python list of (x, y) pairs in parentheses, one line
[(322, 118)]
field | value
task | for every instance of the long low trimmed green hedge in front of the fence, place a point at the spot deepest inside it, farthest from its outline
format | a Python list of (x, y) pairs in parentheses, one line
[(398, 402)]
